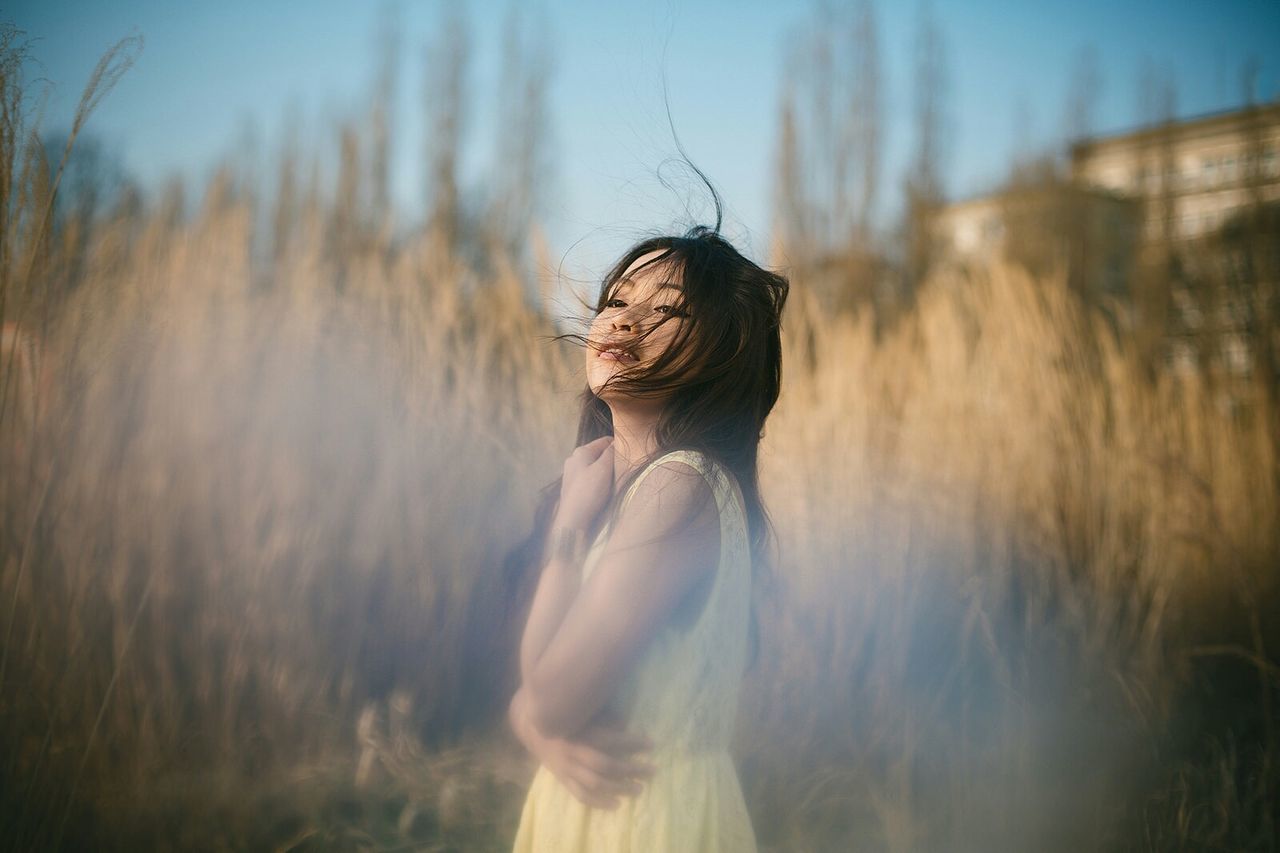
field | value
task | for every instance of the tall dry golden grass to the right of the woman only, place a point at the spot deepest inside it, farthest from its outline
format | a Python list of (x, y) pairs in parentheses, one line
[(1008, 558)]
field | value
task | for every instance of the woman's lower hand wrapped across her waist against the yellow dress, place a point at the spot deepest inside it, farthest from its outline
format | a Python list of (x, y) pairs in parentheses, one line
[(598, 765)]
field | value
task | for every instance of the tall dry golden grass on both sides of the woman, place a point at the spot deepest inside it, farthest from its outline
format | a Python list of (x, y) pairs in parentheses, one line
[(262, 464)]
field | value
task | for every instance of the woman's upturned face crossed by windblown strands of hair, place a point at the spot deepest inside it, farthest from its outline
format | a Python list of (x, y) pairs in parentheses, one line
[(639, 322)]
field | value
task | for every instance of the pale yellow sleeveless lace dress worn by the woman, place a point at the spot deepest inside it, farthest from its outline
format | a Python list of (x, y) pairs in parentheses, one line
[(683, 695)]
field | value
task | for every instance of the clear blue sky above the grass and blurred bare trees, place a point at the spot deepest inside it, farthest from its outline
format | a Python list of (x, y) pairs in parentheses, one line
[(216, 76)]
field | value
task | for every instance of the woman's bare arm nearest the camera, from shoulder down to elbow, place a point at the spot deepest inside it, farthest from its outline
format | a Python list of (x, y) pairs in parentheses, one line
[(666, 540)]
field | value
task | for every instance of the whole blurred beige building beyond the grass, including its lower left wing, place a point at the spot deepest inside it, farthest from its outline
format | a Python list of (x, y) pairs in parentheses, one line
[(1174, 225)]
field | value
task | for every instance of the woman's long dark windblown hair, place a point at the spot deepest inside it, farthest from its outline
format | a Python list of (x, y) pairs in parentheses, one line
[(720, 377)]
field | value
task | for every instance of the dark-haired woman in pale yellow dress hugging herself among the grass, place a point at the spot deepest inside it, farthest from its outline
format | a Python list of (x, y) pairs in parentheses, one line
[(638, 635)]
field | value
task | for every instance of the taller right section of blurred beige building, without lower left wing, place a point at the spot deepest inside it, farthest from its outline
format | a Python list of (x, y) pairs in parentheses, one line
[(1209, 190)]
